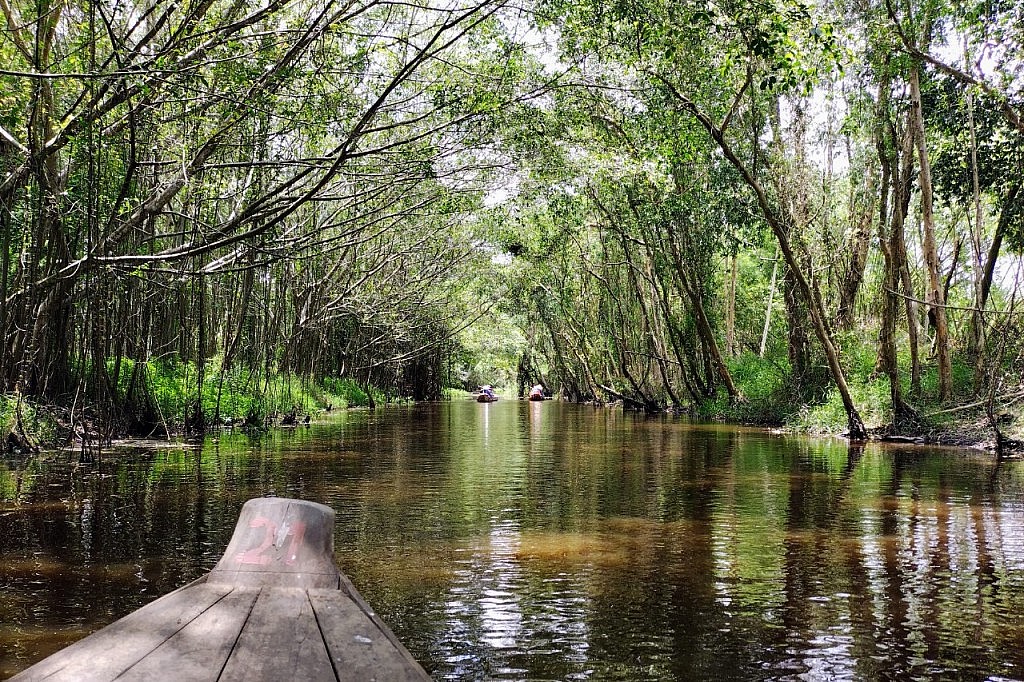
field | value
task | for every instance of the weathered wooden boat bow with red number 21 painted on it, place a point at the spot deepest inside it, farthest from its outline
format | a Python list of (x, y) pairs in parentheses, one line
[(274, 609)]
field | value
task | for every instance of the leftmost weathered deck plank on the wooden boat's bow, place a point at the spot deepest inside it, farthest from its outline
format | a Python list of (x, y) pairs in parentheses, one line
[(108, 653)]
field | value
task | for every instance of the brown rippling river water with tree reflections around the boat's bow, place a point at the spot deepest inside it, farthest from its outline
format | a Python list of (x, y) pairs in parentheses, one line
[(545, 541)]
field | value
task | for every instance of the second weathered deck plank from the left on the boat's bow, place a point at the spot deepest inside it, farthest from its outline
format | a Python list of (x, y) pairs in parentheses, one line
[(198, 652)]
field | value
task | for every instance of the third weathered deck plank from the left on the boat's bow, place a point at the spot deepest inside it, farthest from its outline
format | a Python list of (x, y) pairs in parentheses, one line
[(280, 642)]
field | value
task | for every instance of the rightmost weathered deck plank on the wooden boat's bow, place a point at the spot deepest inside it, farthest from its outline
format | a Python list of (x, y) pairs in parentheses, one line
[(362, 648)]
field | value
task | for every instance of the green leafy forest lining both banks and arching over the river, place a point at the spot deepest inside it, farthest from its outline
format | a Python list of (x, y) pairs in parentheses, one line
[(771, 212)]
